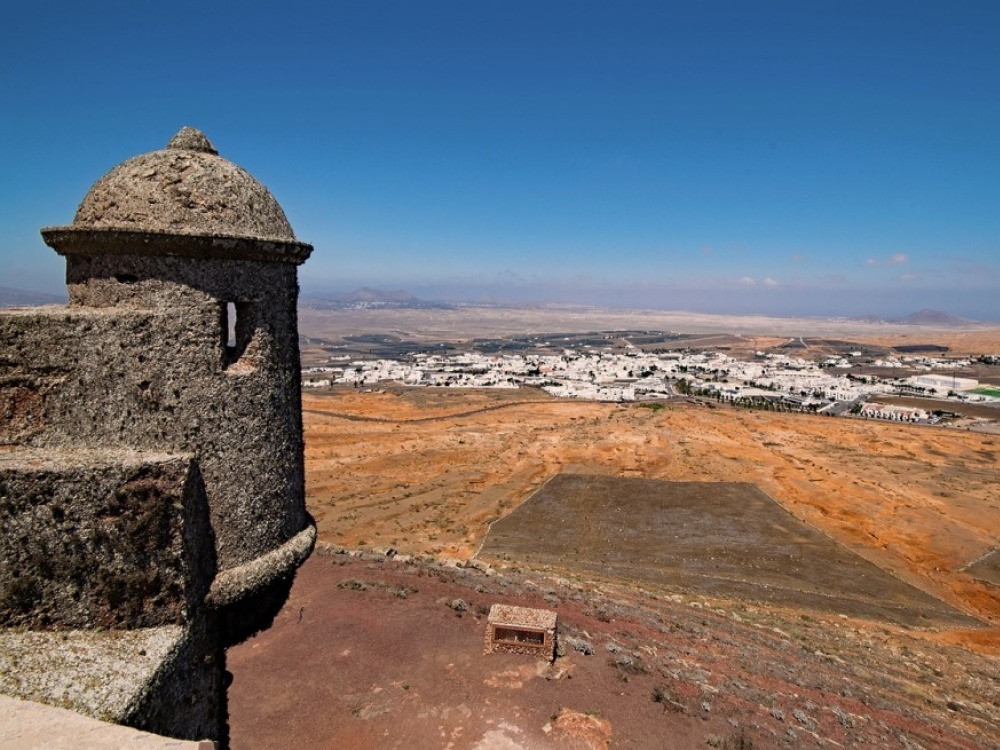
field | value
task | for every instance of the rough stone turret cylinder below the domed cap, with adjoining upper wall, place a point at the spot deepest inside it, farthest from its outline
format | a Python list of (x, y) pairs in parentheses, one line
[(156, 373)]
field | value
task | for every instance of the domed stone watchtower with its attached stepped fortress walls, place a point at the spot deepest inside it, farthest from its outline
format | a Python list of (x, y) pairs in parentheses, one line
[(151, 462)]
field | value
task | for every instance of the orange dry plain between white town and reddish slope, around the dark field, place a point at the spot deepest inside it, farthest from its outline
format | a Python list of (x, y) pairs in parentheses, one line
[(427, 471)]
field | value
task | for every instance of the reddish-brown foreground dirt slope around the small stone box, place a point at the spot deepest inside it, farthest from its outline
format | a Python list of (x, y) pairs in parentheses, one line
[(373, 654)]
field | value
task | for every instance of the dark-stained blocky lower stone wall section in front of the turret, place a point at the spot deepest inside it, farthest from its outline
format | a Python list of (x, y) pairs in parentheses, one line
[(97, 538)]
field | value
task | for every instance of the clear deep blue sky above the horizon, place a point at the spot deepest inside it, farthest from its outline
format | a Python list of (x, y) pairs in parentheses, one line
[(811, 157)]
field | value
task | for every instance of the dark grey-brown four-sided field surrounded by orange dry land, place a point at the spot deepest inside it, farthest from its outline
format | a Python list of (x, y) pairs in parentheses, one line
[(720, 539)]
